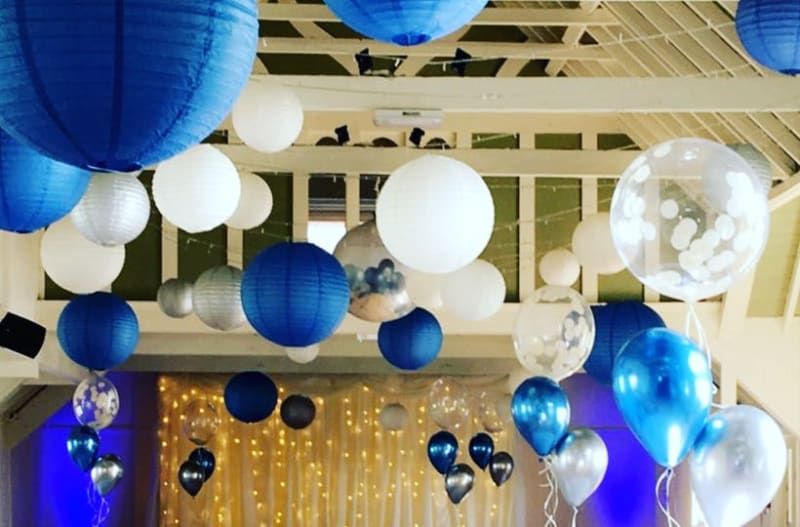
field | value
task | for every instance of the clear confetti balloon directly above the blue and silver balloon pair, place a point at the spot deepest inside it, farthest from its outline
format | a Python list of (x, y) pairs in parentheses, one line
[(554, 332)]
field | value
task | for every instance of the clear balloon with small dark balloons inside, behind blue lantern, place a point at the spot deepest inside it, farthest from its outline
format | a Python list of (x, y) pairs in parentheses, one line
[(377, 280)]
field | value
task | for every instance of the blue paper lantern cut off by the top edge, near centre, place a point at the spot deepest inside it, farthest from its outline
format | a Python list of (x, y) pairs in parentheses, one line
[(406, 23)]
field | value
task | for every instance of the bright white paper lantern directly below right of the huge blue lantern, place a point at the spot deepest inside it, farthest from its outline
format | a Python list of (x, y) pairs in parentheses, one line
[(197, 190)]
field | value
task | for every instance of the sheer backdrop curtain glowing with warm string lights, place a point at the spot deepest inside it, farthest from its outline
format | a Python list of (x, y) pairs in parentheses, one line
[(344, 470)]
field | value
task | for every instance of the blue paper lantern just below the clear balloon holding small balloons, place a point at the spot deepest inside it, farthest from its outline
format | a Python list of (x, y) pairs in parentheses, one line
[(411, 342)]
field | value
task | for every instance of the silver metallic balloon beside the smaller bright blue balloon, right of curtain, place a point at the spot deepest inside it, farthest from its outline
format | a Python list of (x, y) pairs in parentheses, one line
[(579, 464)]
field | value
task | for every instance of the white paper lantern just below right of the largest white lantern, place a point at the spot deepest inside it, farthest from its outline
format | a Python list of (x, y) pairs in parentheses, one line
[(475, 292)]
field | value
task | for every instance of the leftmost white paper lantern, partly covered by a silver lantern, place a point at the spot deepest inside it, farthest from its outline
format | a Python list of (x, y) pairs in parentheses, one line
[(75, 263)]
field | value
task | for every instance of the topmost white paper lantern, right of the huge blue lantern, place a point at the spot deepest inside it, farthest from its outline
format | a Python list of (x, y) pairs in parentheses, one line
[(268, 116)]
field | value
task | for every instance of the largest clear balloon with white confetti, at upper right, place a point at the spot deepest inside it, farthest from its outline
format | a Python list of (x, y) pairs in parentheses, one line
[(689, 218)]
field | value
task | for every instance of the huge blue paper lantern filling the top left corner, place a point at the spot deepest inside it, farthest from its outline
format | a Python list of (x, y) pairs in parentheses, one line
[(120, 85)]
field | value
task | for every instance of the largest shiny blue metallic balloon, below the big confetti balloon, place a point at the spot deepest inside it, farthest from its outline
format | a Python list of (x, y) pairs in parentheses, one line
[(663, 388)]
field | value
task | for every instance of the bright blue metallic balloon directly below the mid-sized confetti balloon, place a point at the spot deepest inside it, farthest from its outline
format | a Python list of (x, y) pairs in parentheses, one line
[(541, 413)]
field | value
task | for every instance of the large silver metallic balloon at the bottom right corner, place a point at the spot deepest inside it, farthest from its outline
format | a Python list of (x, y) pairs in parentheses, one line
[(737, 465)]
